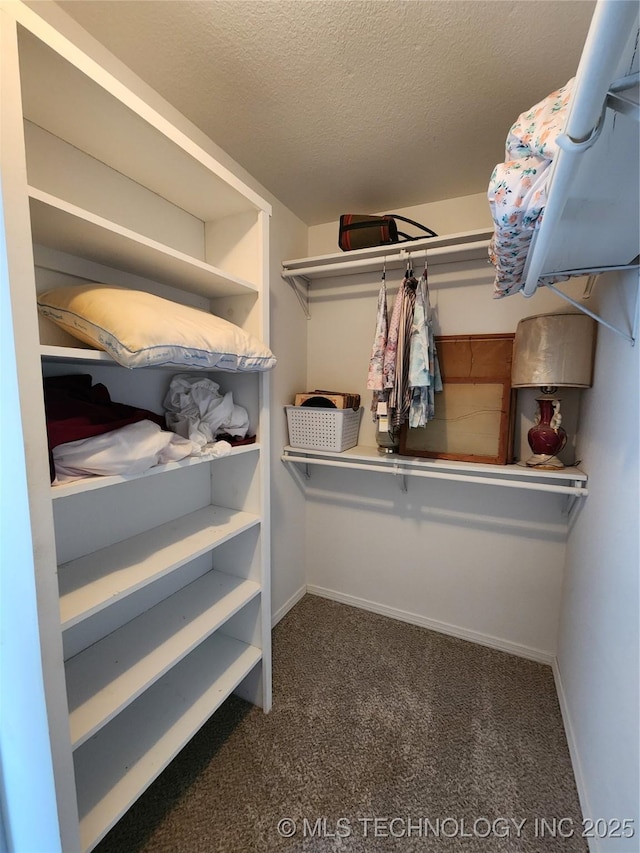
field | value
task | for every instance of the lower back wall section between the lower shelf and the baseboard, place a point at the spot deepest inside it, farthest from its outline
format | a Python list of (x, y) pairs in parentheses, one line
[(479, 562)]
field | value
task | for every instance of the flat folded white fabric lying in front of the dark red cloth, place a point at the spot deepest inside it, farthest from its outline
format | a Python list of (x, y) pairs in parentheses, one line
[(131, 449)]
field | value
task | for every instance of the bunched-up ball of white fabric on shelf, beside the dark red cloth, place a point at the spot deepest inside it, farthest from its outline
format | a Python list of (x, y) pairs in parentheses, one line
[(195, 409)]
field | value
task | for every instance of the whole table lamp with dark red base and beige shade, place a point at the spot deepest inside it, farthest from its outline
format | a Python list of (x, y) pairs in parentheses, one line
[(552, 351)]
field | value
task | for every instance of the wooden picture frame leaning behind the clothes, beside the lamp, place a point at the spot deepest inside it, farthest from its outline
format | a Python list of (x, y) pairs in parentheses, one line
[(475, 412)]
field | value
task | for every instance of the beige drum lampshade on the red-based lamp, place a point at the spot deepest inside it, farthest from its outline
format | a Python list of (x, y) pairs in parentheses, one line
[(554, 349)]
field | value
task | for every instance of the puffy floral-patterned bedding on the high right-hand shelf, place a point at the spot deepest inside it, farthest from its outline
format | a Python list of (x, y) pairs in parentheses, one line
[(518, 187)]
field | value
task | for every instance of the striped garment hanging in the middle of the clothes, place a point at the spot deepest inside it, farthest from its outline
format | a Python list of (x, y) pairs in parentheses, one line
[(397, 380)]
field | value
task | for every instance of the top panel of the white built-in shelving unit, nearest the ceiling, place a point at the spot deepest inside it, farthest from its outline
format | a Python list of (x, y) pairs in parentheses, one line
[(69, 94)]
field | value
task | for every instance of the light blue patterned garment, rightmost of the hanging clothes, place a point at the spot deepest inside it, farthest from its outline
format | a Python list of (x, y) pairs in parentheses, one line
[(424, 370)]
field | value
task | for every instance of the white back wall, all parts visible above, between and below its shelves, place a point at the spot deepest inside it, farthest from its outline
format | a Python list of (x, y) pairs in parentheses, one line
[(486, 563)]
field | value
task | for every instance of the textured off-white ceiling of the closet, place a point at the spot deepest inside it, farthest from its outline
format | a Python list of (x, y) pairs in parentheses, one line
[(342, 106)]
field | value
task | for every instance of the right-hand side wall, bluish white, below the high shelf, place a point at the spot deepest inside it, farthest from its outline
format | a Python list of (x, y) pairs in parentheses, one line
[(598, 640)]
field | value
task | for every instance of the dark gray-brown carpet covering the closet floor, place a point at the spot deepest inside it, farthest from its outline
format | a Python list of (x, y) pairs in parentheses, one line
[(451, 746)]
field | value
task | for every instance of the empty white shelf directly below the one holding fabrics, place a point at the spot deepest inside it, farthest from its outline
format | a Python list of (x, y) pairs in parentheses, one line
[(91, 583)]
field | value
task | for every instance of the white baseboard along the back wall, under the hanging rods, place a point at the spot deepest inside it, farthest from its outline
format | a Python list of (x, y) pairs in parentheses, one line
[(434, 625)]
